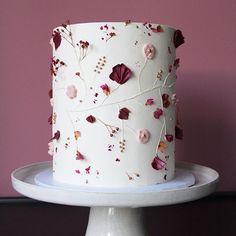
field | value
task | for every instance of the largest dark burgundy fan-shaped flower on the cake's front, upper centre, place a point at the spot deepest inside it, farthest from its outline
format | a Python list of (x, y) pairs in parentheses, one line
[(120, 73)]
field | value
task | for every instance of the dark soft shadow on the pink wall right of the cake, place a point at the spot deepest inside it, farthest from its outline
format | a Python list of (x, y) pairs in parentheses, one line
[(208, 114)]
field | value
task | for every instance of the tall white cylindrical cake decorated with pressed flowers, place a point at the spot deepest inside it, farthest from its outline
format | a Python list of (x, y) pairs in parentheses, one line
[(114, 103)]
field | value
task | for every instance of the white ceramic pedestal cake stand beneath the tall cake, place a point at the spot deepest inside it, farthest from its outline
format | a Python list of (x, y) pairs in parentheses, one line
[(114, 212)]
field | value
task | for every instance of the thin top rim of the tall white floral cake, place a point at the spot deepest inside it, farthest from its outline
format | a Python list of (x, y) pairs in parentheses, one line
[(149, 24)]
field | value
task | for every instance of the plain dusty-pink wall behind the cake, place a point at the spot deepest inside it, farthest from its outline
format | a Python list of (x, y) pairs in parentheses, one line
[(206, 78)]
